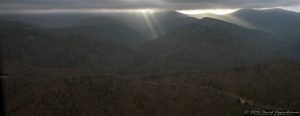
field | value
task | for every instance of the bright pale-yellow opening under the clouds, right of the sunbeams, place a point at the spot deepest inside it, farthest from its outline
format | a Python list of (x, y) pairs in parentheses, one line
[(212, 11)]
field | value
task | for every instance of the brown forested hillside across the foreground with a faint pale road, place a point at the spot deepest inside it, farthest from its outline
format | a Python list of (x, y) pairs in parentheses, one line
[(272, 85)]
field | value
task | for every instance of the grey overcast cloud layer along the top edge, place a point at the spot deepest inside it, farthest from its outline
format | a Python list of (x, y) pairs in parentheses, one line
[(6, 5)]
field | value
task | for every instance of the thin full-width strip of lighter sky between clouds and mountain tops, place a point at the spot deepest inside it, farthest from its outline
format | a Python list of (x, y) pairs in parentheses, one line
[(184, 11)]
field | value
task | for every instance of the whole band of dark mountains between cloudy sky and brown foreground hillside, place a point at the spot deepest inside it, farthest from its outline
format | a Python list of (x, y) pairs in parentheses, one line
[(114, 42)]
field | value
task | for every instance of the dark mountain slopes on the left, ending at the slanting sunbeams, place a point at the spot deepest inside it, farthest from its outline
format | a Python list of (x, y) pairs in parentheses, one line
[(75, 47)]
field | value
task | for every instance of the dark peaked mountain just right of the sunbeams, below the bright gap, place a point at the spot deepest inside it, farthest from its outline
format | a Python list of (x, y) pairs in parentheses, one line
[(209, 44)]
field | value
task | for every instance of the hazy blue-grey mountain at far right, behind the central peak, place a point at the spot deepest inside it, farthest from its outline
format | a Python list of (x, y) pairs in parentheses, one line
[(281, 23)]
